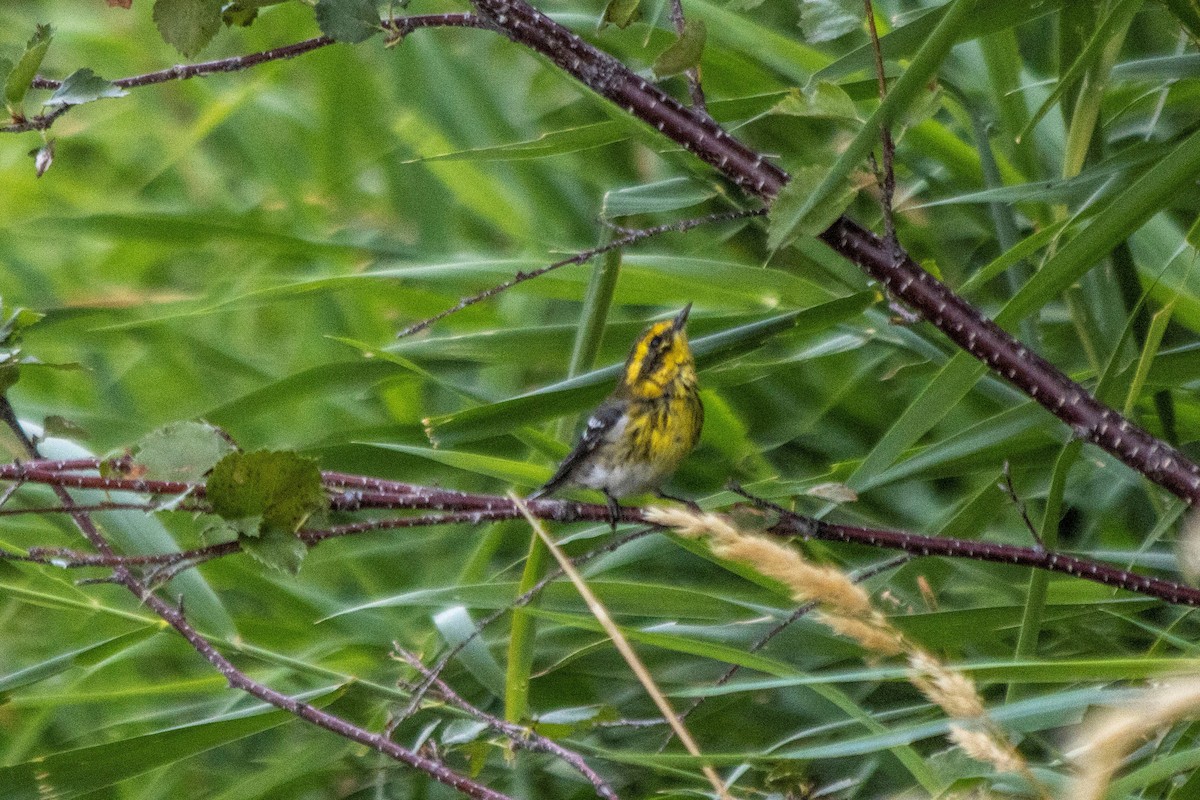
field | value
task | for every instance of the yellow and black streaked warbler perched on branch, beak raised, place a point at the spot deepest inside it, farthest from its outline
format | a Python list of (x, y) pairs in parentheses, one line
[(638, 437)]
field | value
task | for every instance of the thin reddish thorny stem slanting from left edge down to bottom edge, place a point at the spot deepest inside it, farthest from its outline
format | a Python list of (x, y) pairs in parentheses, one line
[(236, 678)]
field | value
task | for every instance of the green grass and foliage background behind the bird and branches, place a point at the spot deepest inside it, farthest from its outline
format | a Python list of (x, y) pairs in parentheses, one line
[(244, 248)]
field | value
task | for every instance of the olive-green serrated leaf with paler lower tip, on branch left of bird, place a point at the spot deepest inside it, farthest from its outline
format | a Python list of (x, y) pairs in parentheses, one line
[(268, 495)]
